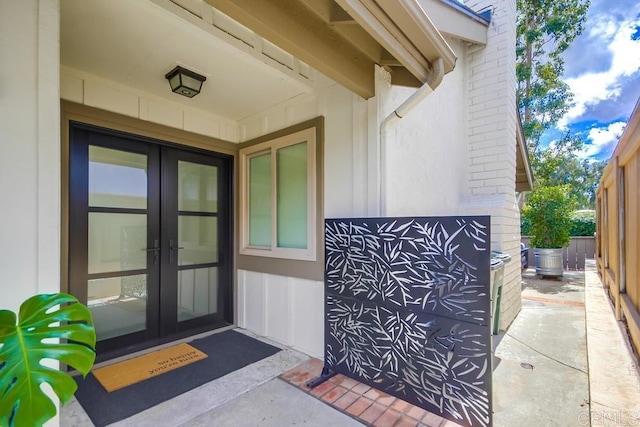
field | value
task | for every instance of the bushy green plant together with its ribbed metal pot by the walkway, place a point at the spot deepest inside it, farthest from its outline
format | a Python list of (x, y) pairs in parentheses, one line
[(548, 211)]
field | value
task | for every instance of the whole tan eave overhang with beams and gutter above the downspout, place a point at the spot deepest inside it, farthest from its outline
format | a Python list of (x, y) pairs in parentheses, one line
[(344, 39)]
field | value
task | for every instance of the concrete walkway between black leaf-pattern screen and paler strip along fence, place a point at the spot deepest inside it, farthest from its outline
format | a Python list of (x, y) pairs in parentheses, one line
[(541, 375)]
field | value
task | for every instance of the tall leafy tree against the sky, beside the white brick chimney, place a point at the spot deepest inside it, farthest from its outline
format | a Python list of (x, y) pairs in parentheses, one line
[(545, 29)]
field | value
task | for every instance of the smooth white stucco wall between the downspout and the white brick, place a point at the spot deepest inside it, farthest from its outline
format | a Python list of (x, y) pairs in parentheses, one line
[(427, 150)]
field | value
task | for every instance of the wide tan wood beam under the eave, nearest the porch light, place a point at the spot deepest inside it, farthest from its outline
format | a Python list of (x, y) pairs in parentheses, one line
[(293, 27)]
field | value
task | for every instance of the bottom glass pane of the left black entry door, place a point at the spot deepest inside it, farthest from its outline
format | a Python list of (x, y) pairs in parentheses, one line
[(118, 305)]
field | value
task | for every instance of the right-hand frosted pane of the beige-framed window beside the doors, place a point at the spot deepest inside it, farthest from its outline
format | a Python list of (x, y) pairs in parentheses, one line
[(291, 187)]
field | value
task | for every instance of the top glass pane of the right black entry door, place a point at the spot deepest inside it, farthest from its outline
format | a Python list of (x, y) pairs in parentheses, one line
[(197, 187)]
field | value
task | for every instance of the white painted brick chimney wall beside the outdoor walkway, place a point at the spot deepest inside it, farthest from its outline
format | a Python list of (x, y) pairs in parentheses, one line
[(492, 142)]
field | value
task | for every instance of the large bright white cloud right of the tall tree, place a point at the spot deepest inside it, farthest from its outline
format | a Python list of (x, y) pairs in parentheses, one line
[(593, 87)]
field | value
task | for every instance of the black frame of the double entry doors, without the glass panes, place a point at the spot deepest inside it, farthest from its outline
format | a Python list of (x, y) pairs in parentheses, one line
[(162, 322)]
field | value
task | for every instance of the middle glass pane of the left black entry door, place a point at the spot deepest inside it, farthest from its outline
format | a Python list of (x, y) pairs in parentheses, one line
[(117, 242)]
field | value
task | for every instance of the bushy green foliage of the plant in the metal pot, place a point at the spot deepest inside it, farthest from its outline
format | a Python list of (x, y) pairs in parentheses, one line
[(548, 210)]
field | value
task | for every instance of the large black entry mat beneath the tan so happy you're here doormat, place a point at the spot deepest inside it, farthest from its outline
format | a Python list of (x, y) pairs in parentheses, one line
[(228, 351)]
